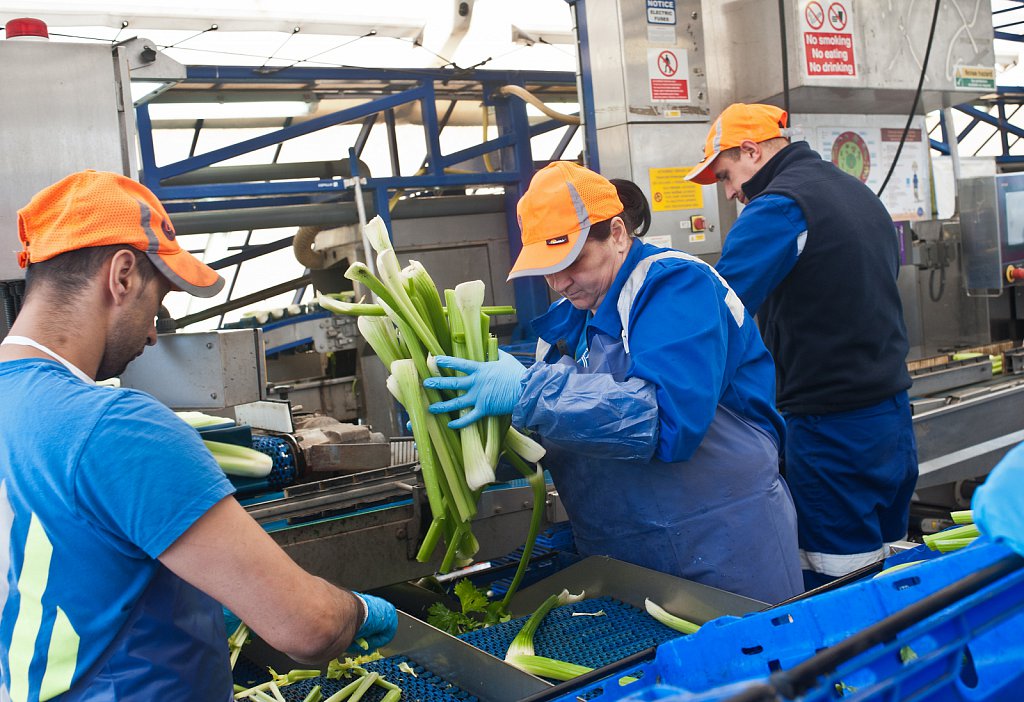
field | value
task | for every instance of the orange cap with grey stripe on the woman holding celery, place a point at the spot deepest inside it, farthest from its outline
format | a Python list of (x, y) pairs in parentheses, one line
[(556, 216)]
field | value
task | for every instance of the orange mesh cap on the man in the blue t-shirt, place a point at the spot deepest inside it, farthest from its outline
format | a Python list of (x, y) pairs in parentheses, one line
[(99, 209)]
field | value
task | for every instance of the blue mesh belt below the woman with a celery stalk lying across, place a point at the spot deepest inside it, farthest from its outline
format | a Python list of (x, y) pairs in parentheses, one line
[(594, 642)]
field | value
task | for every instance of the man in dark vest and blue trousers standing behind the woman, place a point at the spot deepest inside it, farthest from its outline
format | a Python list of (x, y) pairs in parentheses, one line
[(816, 256)]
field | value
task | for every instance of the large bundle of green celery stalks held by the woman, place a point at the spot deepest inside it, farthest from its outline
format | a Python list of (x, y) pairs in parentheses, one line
[(408, 326)]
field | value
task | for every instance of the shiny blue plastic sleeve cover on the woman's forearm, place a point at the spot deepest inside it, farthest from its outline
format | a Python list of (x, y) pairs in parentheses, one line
[(589, 414)]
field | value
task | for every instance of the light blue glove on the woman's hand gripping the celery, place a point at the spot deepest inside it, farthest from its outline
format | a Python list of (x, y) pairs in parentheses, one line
[(491, 389)]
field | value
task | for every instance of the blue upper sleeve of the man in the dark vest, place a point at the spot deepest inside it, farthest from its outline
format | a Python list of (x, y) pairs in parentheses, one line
[(762, 248)]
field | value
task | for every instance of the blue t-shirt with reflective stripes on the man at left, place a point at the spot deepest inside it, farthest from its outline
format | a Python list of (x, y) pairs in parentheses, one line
[(96, 484)]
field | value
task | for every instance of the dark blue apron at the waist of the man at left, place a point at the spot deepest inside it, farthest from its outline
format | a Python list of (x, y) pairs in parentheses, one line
[(174, 646)]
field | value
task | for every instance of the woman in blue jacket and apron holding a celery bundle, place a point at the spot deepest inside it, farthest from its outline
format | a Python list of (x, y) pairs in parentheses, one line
[(653, 393)]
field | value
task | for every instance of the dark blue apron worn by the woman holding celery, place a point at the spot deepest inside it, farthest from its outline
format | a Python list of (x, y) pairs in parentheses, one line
[(724, 518)]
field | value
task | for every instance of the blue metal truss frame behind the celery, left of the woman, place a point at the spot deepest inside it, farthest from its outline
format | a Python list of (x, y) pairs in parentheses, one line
[(383, 91)]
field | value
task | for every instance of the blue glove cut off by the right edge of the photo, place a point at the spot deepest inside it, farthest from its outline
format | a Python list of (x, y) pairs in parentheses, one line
[(999, 504)]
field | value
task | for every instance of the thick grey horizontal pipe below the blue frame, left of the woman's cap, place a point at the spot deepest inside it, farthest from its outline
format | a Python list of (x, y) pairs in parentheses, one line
[(330, 214)]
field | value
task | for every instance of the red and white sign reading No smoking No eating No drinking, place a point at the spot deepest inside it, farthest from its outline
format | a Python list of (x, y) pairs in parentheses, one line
[(829, 38)]
